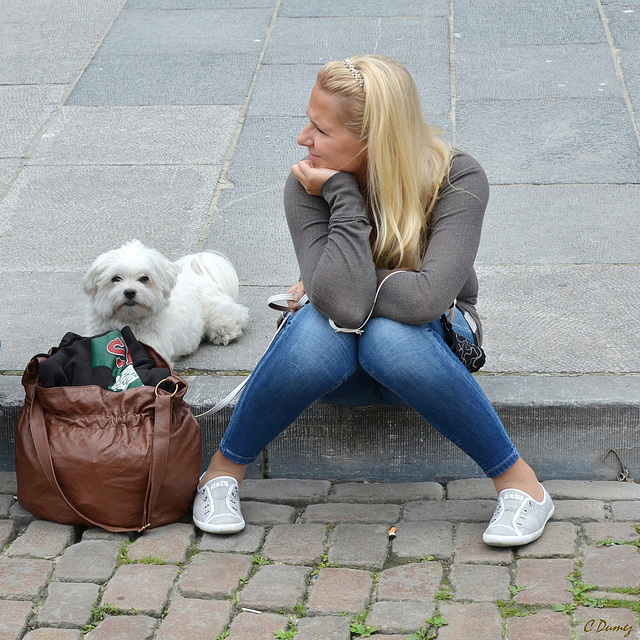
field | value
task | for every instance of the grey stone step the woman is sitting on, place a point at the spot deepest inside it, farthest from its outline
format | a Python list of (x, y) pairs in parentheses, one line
[(572, 427)]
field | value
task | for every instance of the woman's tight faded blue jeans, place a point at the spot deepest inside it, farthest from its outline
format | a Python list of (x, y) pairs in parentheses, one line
[(390, 363)]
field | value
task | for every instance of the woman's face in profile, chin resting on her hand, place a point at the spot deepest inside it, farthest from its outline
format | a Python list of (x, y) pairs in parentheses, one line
[(330, 144)]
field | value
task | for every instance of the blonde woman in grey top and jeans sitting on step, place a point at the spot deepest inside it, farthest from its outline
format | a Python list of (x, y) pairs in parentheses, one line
[(378, 194)]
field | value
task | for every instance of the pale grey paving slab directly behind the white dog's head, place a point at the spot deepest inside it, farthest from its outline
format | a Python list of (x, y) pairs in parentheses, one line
[(149, 199)]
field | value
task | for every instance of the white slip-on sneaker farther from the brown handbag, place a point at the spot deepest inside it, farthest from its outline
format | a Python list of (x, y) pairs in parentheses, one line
[(518, 519)]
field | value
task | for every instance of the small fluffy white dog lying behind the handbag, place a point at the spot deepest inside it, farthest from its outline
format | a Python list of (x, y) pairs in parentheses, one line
[(171, 306)]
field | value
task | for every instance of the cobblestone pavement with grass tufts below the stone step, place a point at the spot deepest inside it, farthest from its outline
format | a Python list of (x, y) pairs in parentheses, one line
[(317, 558)]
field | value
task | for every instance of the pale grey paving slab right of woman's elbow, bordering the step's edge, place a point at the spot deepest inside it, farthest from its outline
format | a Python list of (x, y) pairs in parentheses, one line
[(553, 311)]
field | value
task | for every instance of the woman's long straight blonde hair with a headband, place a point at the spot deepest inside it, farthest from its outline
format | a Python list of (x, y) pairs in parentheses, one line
[(407, 160)]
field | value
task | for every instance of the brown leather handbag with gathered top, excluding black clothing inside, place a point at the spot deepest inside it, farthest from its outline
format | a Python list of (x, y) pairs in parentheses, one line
[(124, 461)]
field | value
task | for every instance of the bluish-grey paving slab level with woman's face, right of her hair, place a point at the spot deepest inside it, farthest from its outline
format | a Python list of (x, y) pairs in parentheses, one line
[(574, 140)]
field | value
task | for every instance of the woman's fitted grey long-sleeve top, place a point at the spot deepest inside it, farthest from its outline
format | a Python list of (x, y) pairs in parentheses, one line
[(331, 239)]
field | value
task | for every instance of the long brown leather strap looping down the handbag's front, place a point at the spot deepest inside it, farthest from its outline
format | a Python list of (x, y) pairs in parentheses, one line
[(159, 456)]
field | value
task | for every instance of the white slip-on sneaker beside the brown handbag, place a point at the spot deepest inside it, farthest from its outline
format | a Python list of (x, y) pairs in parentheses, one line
[(216, 508)]
